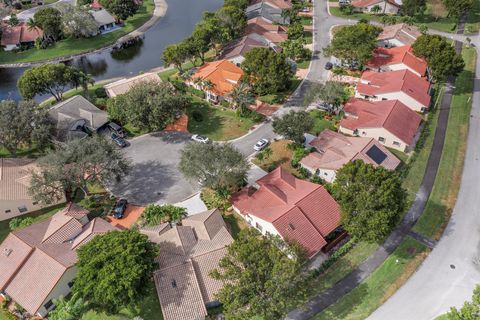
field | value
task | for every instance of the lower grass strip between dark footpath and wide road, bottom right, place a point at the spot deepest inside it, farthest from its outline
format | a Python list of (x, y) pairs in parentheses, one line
[(381, 284)]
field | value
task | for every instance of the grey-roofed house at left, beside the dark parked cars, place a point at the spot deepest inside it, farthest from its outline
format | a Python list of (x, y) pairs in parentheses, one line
[(76, 117)]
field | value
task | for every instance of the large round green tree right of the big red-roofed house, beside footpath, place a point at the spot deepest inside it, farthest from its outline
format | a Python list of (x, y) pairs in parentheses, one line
[(371, 199)]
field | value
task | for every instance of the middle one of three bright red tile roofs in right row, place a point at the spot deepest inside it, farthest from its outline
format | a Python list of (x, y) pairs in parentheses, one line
[(375, 83)]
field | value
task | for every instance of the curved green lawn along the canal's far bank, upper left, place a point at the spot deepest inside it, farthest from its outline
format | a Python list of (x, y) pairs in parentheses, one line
[(72, 46)]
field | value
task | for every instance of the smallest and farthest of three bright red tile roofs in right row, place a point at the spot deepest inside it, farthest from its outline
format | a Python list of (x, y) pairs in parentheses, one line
[(398, 55)]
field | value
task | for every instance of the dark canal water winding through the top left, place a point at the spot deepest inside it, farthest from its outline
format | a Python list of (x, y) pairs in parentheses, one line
[(178, 23)]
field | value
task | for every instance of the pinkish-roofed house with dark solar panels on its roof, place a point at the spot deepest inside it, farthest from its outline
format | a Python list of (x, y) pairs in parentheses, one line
[(333, 150)]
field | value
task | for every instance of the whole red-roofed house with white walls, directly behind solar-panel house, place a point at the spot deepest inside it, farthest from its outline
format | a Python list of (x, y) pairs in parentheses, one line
[(390, 122)]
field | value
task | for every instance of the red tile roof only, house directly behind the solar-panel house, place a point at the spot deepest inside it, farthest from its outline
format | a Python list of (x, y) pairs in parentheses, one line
[(392, 115)]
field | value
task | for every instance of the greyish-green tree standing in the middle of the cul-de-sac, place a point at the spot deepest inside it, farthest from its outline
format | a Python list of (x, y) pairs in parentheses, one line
[(216, 166)]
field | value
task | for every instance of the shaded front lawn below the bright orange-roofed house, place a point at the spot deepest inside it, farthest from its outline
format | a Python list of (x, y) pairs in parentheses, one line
[(217, 123)]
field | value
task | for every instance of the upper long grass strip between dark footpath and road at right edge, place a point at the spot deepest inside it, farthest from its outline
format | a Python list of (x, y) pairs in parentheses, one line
[(444, 193)]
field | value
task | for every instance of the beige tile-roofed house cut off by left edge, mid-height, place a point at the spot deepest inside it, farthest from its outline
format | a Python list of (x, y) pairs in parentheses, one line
[(15, 175)]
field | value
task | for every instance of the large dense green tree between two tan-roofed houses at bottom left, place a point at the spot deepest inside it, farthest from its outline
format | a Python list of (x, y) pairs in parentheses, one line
[(114, 270)]
